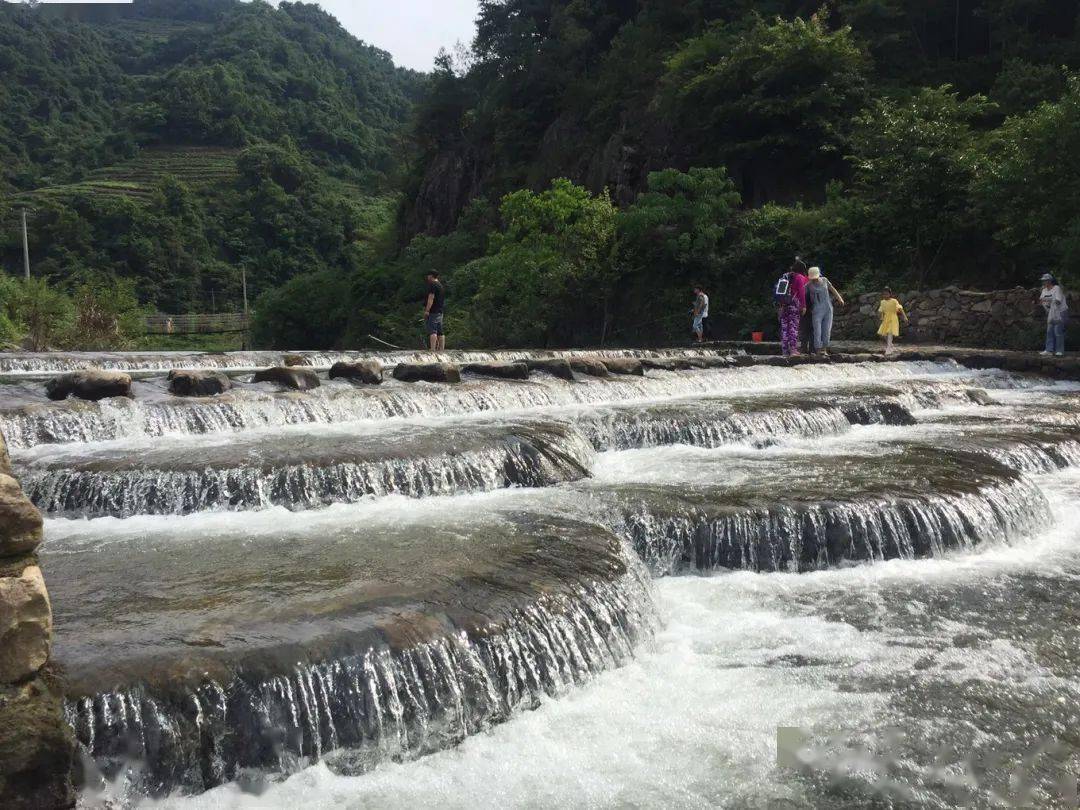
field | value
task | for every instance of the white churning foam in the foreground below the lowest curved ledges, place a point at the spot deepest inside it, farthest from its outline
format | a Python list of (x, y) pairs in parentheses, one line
[(693, 721)]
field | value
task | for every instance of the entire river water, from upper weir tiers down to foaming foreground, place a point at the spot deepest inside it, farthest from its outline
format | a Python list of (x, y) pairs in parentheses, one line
[(601, 592)]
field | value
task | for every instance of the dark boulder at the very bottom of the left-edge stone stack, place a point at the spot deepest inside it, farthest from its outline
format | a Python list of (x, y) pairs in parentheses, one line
[(37, 749)]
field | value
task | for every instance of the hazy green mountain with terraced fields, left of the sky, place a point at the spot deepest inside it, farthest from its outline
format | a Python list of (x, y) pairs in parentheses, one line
[(174, 142)]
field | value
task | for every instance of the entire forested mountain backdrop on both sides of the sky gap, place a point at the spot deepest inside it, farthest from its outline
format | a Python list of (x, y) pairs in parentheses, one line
[(571, 174)]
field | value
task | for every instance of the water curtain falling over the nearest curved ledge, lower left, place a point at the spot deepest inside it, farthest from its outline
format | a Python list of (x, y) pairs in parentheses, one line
[(381, 703)]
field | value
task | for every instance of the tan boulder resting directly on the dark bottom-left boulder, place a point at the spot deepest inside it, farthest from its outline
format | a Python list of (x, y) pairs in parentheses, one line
[(26, 625)]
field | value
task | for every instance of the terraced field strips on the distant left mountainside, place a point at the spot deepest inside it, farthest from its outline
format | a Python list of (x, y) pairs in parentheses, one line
[(197, 167)]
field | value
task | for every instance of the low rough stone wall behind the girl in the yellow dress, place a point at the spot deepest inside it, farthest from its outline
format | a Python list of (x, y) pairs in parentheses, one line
[(1005, 319)]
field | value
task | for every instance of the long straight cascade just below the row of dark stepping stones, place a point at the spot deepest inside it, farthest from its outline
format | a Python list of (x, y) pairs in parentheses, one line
[(251, 409)]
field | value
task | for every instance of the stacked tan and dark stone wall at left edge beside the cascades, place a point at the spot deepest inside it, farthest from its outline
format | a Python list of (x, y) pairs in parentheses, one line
[(36, 745)]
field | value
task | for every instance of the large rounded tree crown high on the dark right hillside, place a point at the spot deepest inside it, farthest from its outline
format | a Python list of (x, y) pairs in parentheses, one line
[(774, 101)]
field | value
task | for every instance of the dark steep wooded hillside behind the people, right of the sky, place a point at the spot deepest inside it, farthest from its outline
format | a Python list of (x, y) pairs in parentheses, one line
[(898, 142)]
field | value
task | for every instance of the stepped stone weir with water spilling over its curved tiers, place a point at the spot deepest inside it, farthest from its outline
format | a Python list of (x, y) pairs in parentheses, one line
[(346, 575)]
